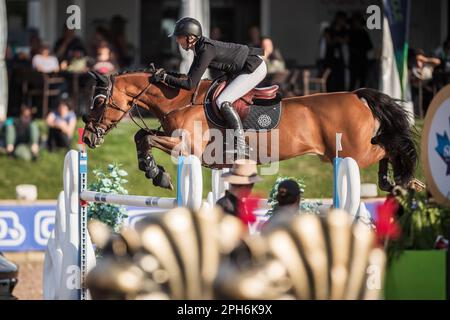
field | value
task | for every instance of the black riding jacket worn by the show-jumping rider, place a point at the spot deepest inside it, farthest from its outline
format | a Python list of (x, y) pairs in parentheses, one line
[(231, 58)]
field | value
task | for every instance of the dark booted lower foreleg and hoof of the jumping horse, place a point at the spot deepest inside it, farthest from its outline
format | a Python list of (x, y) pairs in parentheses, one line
[(147, 163)]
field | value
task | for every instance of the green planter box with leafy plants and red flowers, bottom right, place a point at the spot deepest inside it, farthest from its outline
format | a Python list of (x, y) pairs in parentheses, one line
[(412, 228)]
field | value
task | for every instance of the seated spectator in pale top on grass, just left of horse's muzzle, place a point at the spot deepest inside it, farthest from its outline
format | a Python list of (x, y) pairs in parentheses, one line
[(61, 123)]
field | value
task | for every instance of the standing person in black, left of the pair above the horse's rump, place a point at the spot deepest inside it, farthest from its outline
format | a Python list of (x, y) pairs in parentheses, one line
[(336, 39)]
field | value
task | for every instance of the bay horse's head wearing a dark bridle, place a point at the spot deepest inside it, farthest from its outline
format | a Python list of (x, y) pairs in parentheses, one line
[(105, 111)]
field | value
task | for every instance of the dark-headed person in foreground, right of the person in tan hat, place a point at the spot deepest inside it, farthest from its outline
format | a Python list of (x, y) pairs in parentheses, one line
[(288, 198)]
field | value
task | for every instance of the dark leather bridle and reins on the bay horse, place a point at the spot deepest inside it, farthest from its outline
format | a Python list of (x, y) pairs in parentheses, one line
[(96, 126)]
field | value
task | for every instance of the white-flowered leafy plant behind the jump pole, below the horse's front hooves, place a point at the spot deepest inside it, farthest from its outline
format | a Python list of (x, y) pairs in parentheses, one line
[(111, 181)]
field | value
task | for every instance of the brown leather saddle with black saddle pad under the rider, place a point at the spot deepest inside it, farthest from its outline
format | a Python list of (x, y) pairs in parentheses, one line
[(258, 109)]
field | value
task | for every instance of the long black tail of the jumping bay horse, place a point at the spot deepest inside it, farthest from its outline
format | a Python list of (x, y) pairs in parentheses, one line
[(395, 135)]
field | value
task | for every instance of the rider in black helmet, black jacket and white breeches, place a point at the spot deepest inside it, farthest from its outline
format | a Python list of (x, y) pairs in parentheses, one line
[(243, 64)]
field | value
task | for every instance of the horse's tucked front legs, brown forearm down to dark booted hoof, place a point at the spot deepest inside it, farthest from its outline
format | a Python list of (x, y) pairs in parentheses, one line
[(145, 141)]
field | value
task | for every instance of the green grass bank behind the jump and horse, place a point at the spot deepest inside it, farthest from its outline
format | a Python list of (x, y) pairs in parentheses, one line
[(46, 172)]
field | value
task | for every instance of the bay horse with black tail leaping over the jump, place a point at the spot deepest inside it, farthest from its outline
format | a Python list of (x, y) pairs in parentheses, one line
[(375, 127)]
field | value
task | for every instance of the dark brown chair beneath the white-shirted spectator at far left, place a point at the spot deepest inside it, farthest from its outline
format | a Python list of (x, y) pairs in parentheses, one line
[(41, 84)]
